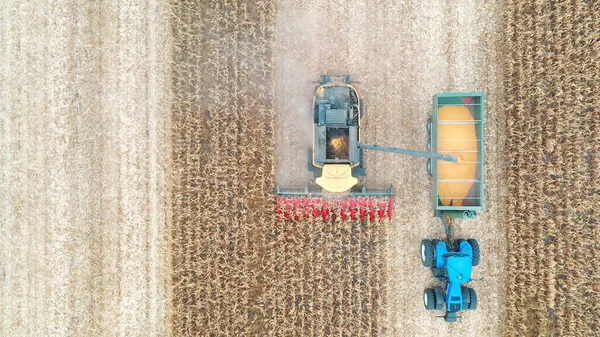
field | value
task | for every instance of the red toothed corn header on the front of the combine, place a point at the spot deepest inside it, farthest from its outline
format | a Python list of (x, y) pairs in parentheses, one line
[(297, 208)]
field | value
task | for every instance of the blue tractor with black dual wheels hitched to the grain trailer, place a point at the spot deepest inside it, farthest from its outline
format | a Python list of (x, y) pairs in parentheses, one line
[(451, 262)]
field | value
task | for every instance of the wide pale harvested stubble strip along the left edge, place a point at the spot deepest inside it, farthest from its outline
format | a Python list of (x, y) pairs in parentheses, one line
[(83, 249)]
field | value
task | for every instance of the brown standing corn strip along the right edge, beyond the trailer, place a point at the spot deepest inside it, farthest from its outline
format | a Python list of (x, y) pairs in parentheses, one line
[(553, 77)]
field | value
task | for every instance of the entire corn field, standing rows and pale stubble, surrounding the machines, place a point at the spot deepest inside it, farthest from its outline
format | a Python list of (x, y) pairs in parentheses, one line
[(141, 142)]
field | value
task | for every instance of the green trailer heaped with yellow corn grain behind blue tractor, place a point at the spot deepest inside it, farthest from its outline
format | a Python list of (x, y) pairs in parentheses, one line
[(456, 129)]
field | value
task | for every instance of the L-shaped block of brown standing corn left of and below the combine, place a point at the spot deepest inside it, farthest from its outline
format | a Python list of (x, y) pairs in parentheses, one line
[(237, 271)]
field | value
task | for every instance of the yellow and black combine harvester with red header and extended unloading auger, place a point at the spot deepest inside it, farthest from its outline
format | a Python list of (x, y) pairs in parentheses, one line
[(336, 160)]
